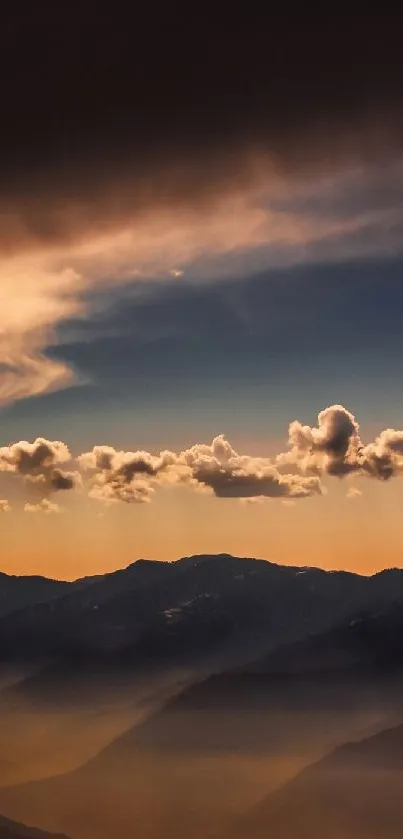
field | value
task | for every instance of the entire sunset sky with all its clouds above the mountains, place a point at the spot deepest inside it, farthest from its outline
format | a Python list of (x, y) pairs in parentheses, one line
[(201, 295)]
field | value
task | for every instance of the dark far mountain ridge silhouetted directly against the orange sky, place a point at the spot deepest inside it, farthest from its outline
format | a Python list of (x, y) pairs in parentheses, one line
[(206, 611)]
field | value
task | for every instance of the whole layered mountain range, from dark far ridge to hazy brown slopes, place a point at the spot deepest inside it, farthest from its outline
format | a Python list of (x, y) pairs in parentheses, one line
[(283, 716)]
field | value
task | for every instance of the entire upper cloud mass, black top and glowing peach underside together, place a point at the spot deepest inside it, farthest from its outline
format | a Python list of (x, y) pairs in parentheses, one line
[(190, 154)]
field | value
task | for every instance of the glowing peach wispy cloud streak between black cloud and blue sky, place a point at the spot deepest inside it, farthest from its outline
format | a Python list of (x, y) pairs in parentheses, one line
[(267, 220)]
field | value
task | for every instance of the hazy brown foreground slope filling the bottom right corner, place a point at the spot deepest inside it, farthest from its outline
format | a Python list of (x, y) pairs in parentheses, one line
[(354, 793)]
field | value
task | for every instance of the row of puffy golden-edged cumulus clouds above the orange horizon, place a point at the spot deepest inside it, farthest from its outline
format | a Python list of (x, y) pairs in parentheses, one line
[(332, 448)]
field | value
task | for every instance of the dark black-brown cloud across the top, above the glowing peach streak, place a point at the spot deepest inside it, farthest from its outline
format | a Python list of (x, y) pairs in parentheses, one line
[(102, 114)]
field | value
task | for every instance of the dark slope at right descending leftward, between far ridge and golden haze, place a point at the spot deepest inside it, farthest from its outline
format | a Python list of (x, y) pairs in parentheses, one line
[(360, 660)]
